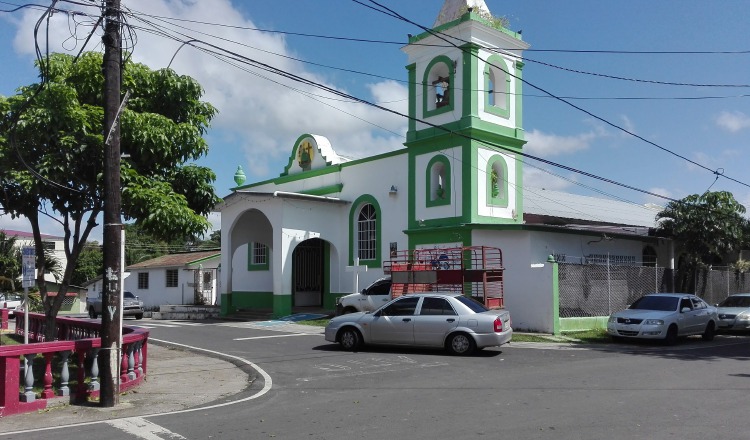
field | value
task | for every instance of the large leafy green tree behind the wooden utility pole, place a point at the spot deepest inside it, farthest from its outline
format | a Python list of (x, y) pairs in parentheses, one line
[(52, 153)]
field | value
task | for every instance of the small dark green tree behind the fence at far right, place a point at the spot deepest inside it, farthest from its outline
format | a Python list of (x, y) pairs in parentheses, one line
[(706, 228)]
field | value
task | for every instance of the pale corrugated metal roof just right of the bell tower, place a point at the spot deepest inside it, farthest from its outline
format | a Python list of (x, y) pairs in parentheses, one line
[(577, 207)]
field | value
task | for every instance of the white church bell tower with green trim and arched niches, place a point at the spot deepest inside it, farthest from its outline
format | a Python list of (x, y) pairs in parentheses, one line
[(465, 130)]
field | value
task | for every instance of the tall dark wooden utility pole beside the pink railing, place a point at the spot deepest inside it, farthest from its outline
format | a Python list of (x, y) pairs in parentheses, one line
[(109, 356)]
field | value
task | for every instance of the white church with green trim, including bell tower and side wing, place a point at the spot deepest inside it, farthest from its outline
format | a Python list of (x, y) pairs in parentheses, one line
[(458, 181)]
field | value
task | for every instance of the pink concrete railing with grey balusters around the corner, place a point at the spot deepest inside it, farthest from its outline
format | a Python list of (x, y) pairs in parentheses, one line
[(78, 341)]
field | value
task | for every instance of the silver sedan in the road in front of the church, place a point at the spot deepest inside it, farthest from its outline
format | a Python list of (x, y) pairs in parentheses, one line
[(451, 321)]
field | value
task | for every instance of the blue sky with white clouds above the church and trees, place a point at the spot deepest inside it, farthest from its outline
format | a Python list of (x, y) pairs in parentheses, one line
[(692, 129)]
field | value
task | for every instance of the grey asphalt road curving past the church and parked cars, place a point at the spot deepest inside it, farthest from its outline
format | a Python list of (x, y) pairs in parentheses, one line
[(312, 390)]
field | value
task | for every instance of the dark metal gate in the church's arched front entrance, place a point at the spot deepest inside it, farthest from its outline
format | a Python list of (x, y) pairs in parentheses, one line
[(308, 273)]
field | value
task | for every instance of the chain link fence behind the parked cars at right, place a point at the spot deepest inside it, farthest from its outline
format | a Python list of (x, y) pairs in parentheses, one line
[(601, 288)]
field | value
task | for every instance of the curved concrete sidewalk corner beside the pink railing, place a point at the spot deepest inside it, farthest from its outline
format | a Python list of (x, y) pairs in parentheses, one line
[(176, 380)]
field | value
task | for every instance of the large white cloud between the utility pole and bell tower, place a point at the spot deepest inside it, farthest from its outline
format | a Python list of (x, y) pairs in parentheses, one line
[(262, 112)]
